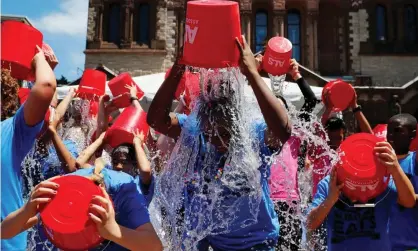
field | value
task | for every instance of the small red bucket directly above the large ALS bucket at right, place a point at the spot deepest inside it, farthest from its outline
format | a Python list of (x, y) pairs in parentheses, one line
[(340, 94)]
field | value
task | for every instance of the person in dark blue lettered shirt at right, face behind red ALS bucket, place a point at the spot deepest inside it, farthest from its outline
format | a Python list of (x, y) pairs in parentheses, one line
[(351, 228)]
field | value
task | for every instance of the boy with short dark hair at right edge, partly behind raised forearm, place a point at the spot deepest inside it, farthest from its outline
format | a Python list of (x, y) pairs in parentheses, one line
[(403, 222)]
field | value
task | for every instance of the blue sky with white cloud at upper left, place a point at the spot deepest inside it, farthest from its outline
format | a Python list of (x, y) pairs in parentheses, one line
[(63, 24)]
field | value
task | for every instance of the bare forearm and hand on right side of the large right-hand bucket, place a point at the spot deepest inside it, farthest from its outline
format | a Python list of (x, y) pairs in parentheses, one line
[(387, 157)]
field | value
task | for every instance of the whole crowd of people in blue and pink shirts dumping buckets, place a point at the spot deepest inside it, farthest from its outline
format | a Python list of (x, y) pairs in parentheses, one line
[(264, 193)]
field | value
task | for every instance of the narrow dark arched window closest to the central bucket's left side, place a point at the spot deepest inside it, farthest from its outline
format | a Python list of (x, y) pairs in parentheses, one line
[(143, 24)]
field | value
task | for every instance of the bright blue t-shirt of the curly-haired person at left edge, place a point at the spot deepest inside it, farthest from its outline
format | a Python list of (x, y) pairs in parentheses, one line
[(17, 139)]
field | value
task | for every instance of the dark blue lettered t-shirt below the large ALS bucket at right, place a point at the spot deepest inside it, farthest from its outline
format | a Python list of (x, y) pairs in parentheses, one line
[(356, 229)]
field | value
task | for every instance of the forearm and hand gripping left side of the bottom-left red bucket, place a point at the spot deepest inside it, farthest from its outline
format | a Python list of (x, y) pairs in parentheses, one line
[(25, 217)]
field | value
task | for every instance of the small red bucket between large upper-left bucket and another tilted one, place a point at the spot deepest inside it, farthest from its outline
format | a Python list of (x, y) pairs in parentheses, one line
[(92, 84)]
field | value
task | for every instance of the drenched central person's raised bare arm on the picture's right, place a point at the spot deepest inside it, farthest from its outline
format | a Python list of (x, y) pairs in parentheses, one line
[(275, 115)]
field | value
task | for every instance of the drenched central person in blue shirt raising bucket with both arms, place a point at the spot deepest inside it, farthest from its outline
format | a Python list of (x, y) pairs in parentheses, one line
[(216, 123)]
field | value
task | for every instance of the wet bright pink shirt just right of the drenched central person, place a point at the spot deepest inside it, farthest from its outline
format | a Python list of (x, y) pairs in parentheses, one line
[(283, 181)]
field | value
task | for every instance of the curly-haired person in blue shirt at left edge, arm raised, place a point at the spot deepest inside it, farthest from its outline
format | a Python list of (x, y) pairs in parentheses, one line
[(19, 128)]
